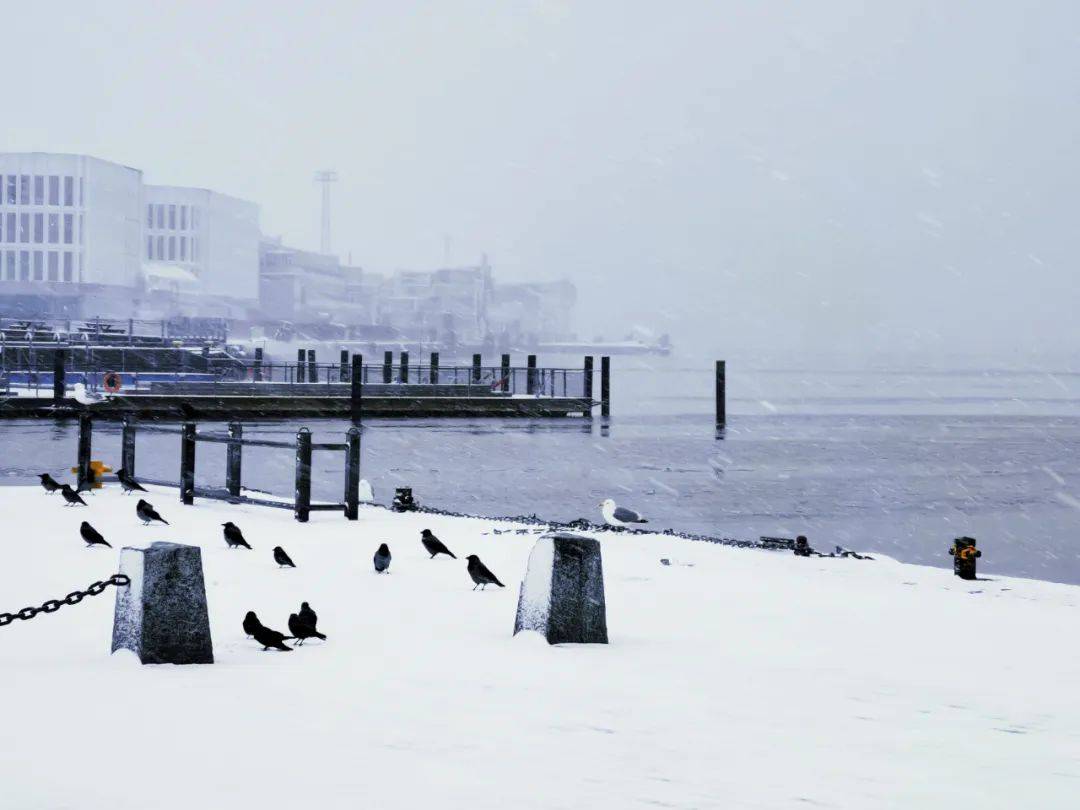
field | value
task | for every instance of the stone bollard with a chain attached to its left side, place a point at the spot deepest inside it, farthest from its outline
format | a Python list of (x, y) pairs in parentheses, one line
[(163, 616)]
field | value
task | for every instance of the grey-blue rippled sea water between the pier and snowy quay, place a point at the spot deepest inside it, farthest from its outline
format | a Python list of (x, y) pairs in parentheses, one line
[(899, 463)]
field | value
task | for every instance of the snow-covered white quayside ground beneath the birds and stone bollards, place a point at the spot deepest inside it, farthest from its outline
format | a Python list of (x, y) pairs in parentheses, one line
[(735, 679)]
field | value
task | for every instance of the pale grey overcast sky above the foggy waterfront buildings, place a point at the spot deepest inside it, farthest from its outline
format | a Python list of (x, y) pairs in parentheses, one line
[(751, 177)]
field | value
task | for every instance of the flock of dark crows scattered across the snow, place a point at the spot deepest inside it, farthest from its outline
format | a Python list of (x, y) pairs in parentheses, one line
[(302, 625)]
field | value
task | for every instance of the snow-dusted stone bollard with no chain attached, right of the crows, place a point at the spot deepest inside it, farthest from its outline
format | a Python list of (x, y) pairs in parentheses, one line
[(562, 597)]
